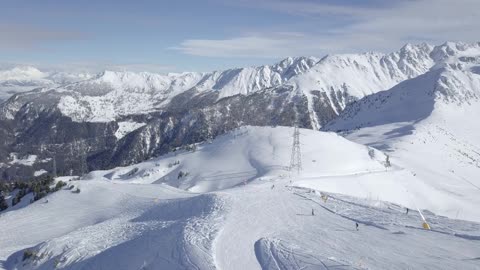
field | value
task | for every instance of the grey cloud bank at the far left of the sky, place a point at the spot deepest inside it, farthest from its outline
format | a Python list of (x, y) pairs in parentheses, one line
[(17, 36)]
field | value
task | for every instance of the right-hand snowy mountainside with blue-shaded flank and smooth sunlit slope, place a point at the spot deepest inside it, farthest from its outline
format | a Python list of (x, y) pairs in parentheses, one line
[(426, 124)]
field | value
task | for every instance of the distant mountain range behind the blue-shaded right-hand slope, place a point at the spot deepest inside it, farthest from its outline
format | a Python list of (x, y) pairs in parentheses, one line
[(125, 117)]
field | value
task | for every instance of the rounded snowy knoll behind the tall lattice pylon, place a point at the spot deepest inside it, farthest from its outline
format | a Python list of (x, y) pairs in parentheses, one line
[(246, 154)]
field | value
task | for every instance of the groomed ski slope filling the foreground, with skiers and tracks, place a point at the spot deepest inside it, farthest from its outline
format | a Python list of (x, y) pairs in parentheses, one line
[(248, 227)]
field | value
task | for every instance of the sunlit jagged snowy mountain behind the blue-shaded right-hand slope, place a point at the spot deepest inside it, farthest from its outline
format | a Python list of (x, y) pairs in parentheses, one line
[(337, 80)]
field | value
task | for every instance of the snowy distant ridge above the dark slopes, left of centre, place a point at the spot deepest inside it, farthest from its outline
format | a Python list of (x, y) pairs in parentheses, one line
[(112, 95)]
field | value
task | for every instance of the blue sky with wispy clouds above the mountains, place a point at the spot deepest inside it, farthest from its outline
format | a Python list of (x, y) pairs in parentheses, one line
[(205, 35)]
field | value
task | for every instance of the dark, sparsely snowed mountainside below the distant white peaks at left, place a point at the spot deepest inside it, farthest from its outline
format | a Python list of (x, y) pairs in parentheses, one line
[(82, 146)]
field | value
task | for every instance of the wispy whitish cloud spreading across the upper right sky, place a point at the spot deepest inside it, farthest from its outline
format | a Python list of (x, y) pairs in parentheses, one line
[(365, 28)]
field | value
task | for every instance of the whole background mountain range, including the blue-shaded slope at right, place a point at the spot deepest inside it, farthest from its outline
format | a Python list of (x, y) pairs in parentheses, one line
[(118, 118)]
